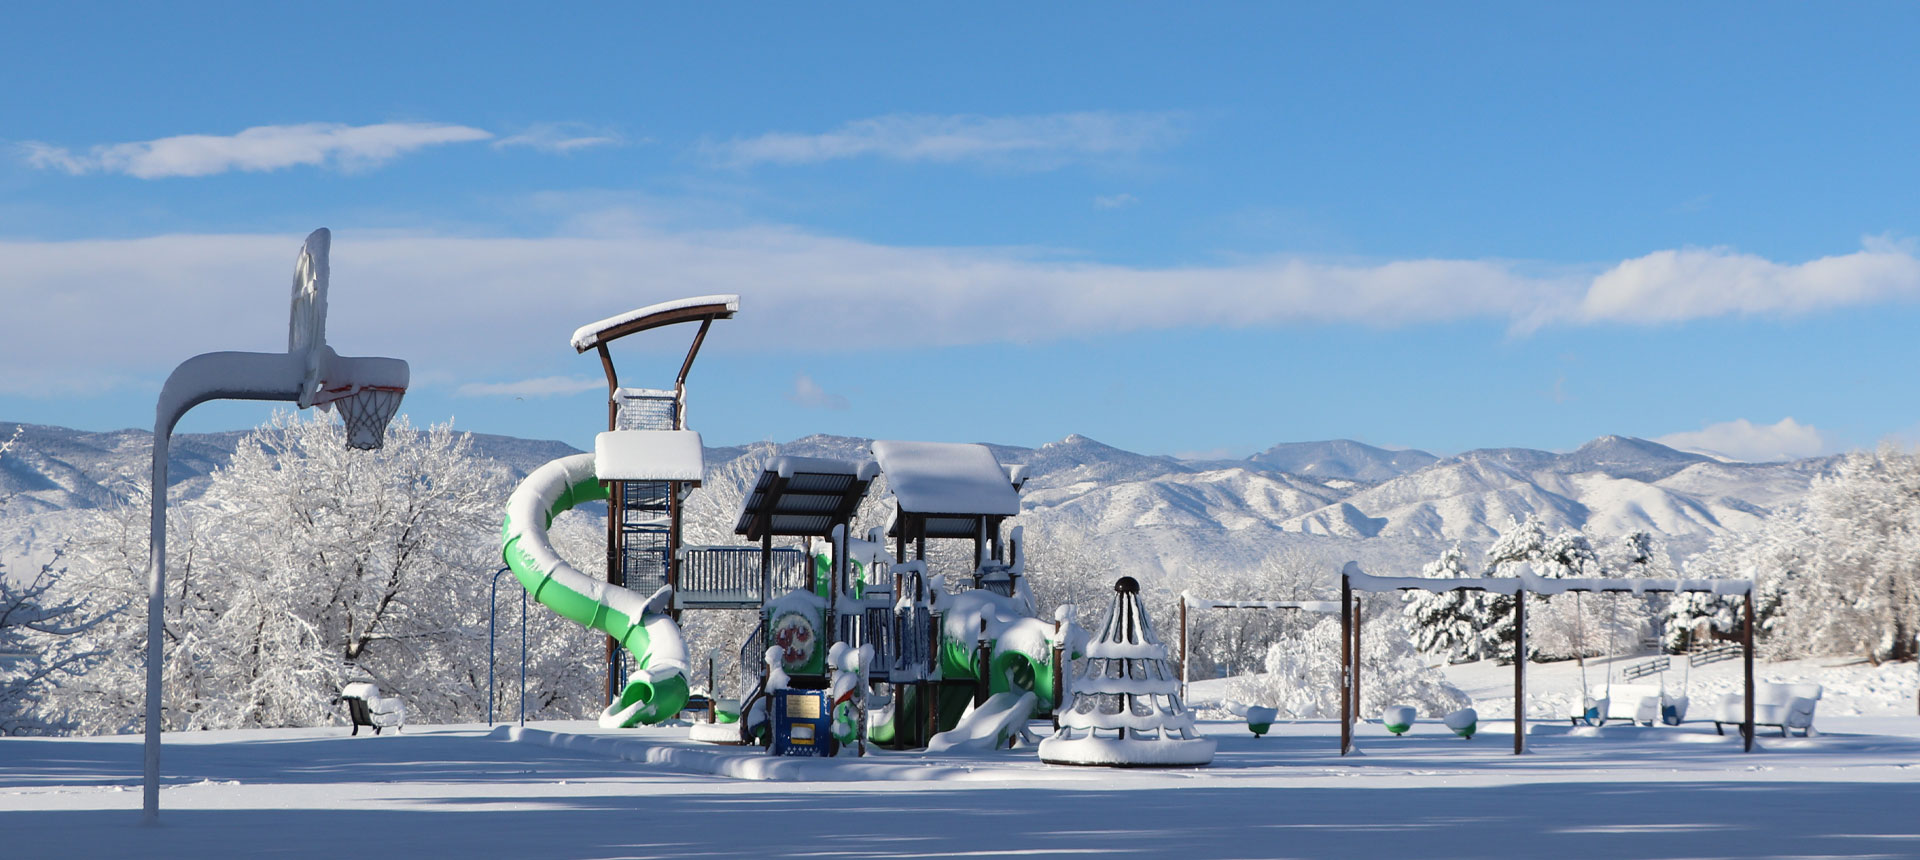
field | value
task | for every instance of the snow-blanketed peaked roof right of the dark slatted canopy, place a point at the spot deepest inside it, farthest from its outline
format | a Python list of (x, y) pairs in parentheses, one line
[(948, 479)]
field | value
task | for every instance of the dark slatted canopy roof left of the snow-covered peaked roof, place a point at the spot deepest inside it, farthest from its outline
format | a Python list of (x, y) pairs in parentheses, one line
[(805, 496)]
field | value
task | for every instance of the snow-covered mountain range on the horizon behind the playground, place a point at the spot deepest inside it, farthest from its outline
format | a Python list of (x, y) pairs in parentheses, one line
[(1151, 514)]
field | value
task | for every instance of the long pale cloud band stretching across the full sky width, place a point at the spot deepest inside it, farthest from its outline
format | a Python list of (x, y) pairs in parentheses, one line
[(446, 302)]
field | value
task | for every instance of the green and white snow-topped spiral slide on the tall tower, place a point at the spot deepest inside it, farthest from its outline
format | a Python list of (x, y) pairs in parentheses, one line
[(640, 625)]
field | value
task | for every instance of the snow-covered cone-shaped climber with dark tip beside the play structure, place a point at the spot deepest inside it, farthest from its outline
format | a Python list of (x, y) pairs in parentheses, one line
[(1126, 707)]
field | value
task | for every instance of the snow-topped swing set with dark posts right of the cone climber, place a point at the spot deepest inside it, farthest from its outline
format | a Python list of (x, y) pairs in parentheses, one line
[(1355, 583)]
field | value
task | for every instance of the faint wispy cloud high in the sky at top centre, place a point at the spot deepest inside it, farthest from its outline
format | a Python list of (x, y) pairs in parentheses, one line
[(1036, 143)]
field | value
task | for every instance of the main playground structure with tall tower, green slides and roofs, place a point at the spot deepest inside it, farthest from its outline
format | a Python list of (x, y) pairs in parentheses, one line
[(855, 644)]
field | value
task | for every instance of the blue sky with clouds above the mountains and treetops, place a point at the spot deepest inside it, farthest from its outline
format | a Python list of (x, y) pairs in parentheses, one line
[(1174, 229)]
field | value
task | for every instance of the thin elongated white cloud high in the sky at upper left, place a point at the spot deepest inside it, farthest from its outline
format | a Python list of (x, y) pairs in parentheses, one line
[(260, 149)]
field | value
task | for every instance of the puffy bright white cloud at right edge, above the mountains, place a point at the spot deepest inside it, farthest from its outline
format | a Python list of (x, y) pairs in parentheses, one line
[(1692, 283)]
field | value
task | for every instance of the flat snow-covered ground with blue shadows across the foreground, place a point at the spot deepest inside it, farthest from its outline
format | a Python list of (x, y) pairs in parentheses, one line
[(579, 792)]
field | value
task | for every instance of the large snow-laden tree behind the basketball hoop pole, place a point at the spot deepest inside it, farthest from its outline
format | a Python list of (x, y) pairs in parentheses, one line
[(304, 567)]
